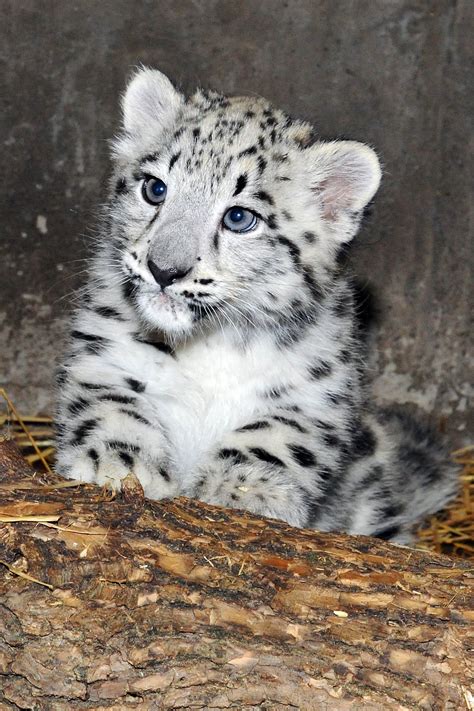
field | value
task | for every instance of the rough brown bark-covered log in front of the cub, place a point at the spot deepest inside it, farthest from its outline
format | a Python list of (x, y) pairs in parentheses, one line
[(124, 603)]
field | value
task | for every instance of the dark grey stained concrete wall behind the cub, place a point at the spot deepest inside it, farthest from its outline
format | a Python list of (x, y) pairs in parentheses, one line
[(394, 73)]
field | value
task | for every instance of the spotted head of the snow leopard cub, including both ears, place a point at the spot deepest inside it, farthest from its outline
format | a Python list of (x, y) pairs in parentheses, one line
[(224, 211)]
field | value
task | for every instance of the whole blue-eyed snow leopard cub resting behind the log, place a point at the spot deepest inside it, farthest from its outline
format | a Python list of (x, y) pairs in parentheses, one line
[(216, 351)]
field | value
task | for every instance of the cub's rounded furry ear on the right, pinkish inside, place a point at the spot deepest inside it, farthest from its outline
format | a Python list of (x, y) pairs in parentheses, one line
[(344, 177)]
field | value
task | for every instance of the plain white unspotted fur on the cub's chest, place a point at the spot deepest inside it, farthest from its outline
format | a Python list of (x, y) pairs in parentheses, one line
[(211, 388)]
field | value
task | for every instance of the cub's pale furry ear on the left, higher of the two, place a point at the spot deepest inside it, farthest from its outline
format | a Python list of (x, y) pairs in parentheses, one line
[(150, 101)]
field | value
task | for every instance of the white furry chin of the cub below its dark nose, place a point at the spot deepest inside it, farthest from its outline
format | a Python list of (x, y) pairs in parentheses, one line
[(162, 312)]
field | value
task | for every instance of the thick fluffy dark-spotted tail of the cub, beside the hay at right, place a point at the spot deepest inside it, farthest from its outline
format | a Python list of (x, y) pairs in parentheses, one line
[(408, 477)]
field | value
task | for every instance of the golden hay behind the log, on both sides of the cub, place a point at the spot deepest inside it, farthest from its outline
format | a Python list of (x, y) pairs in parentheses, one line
[(450, 532)]
